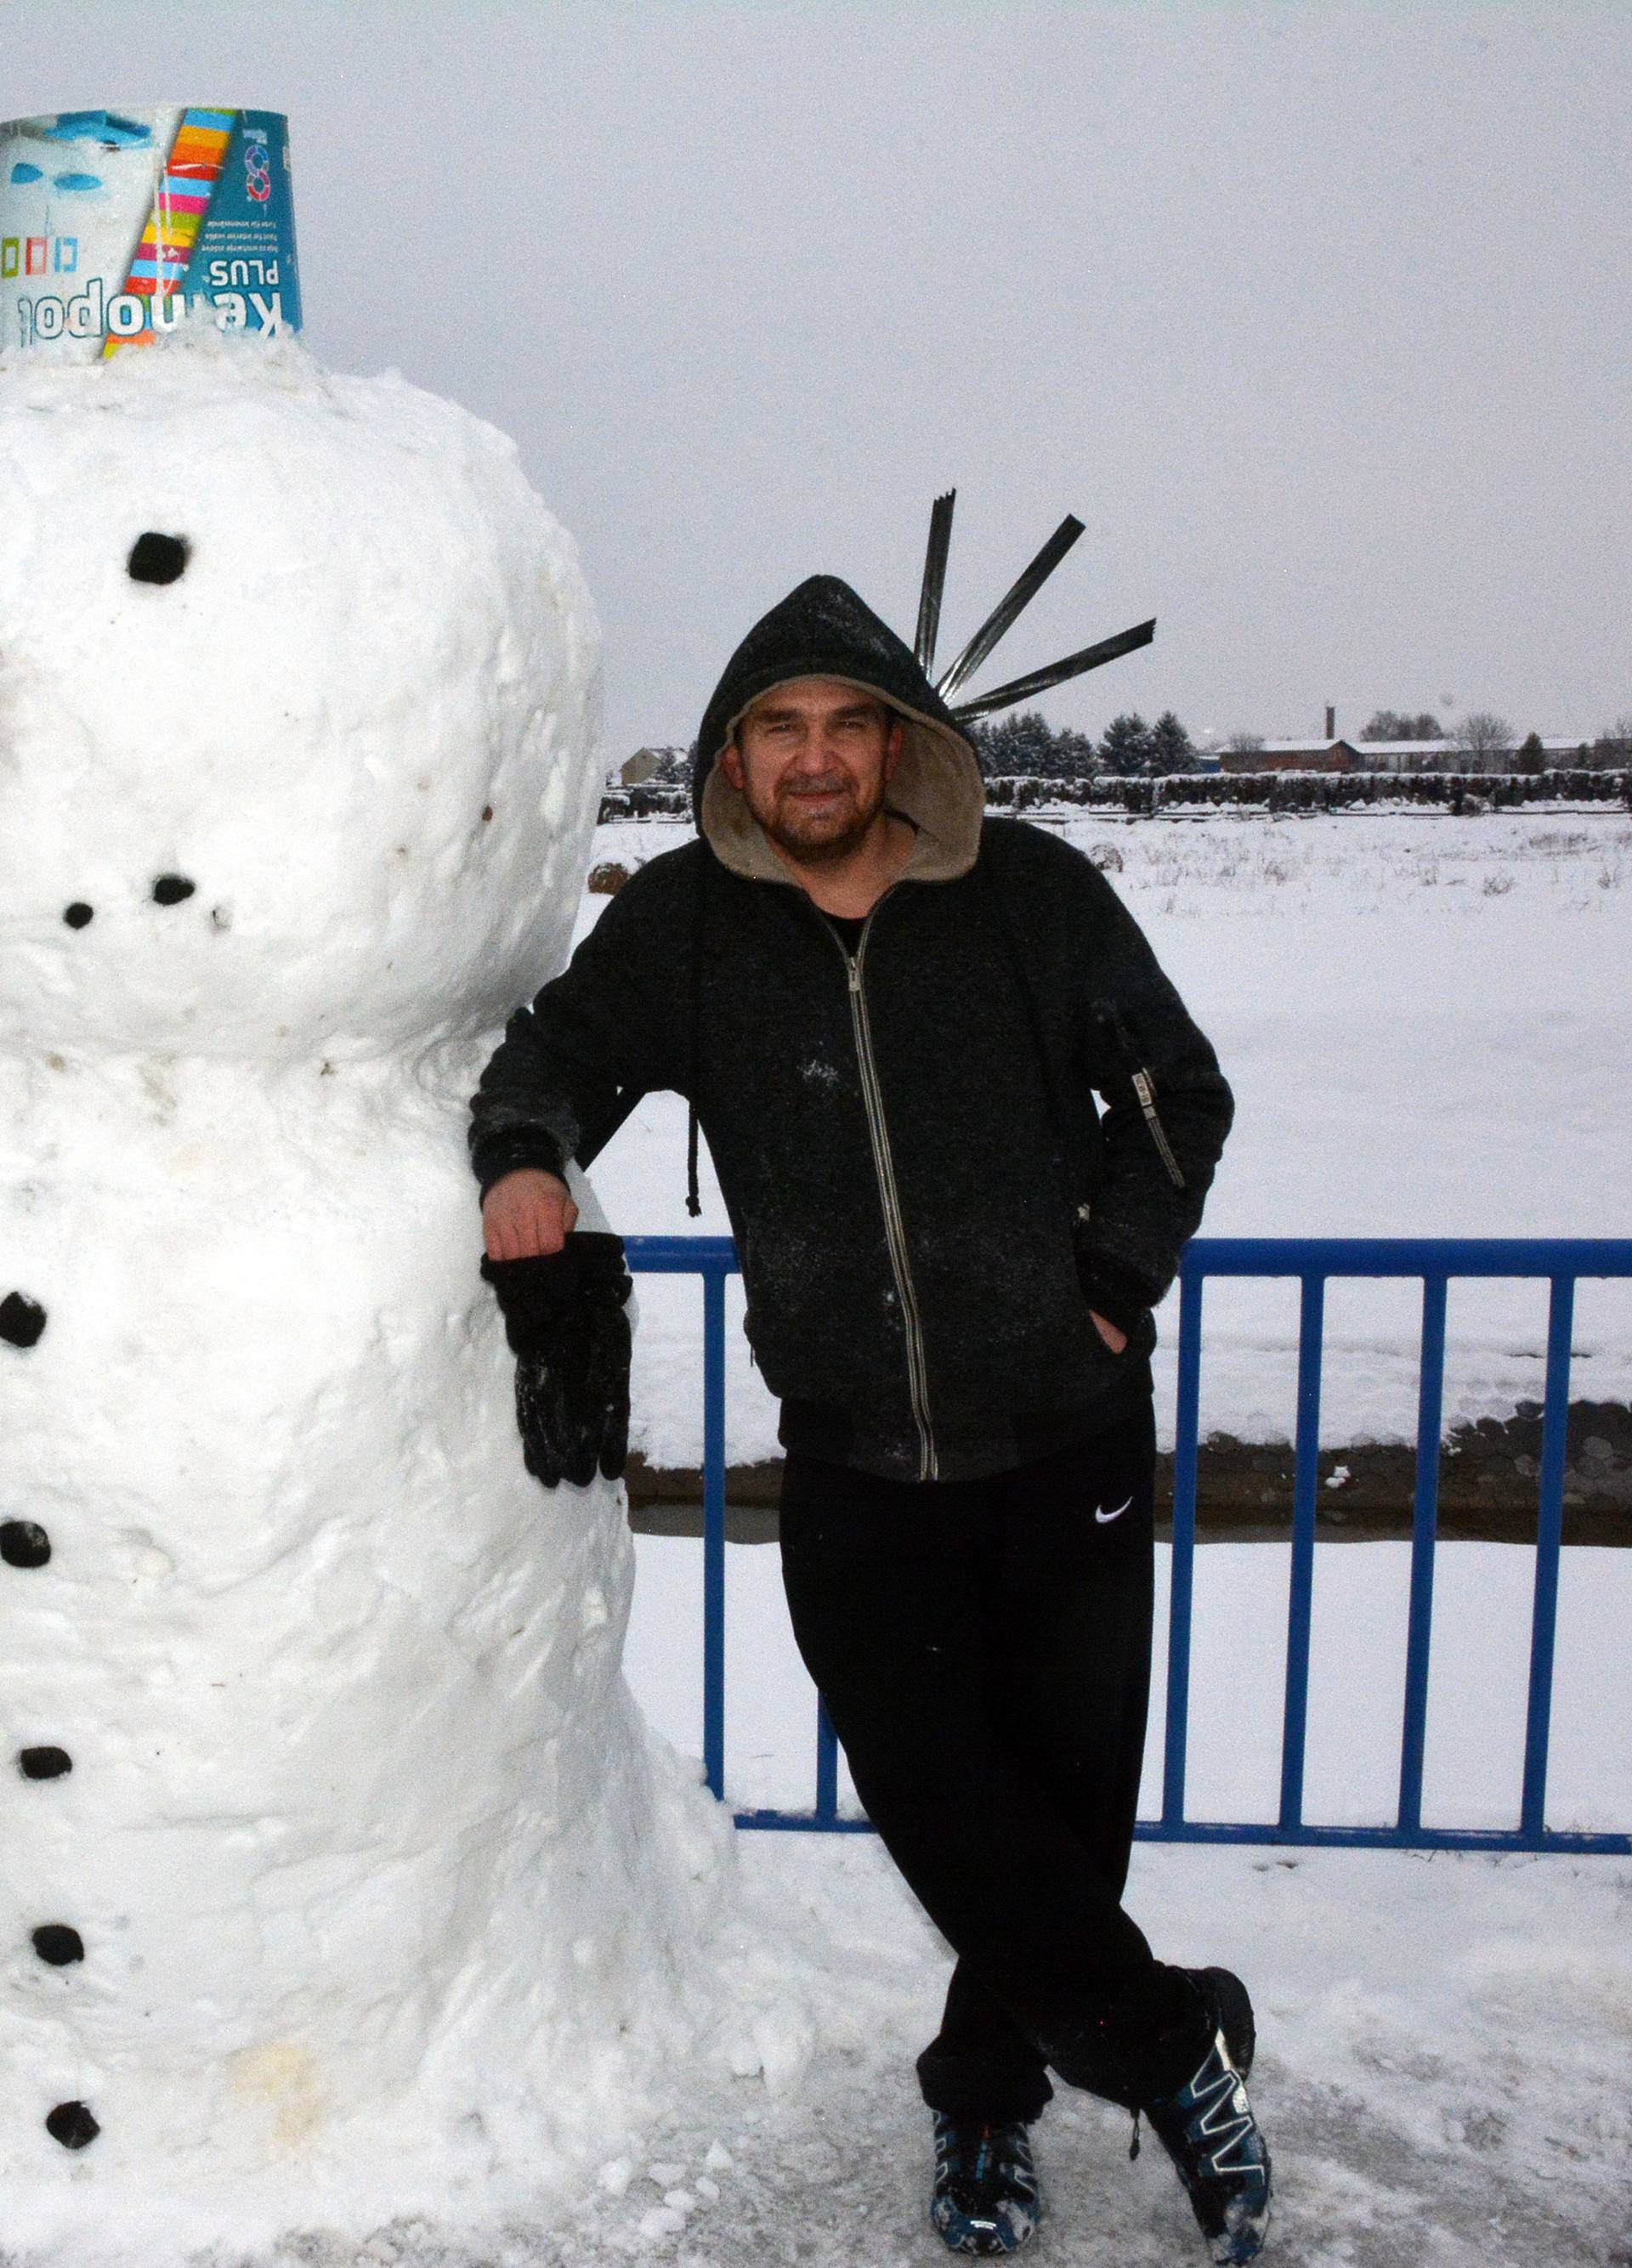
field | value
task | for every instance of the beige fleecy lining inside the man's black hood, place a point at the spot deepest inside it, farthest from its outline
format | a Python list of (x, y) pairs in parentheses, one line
[(936, 786)]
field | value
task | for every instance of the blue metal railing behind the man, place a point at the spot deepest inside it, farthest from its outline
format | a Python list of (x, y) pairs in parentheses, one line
[(1313, 1262)]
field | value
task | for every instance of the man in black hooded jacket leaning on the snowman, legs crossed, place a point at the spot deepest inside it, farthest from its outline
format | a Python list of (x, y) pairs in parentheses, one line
[(891, 1017)]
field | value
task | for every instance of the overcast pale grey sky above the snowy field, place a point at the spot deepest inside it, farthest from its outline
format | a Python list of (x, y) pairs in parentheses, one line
[(1318, 316)]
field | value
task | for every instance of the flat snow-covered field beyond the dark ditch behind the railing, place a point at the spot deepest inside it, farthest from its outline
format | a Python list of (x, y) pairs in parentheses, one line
[(1429, 1031)]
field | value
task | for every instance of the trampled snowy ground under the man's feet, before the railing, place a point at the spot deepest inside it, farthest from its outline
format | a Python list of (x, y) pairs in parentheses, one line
[(1442, 2081)]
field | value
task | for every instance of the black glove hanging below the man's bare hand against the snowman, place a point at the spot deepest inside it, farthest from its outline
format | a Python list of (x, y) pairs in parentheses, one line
[(569, 1326)]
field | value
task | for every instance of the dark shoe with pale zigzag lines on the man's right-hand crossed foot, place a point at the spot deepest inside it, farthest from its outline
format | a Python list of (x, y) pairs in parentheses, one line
[(1209, 2126)]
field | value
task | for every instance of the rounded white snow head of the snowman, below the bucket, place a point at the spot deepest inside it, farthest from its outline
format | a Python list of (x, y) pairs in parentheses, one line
[(298, 709)]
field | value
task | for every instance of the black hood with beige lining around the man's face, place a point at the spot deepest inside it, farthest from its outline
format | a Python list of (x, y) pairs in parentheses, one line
[(825, 632)]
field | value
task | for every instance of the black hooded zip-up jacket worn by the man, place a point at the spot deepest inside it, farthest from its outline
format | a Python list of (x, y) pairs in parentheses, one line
[(925, 1194)]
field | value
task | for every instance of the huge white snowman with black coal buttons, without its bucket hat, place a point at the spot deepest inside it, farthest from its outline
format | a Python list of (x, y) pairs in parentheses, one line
[(339, 1877)]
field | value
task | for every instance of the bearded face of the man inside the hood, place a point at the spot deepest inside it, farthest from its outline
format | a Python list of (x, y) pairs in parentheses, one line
[(811, 763)]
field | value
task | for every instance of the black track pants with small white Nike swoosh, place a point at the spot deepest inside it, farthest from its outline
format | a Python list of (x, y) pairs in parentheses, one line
[(984, 1650)]
